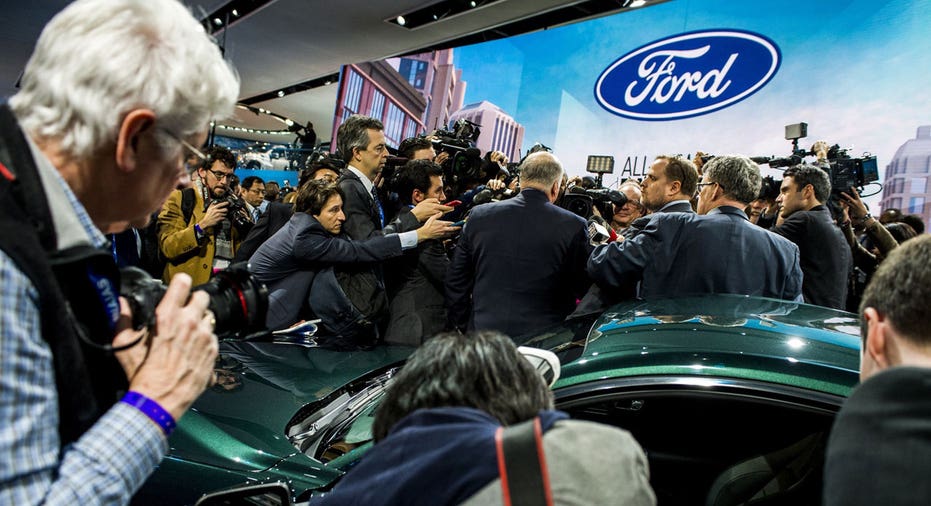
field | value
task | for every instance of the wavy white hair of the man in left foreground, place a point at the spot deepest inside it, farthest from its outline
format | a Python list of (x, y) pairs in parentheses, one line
[(97, 60)]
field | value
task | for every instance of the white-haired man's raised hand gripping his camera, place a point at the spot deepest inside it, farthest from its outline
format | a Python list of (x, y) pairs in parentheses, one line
[(175, 364)]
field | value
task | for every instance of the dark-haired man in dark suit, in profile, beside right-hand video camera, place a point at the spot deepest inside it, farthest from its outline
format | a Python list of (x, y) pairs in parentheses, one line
[(823, 252)]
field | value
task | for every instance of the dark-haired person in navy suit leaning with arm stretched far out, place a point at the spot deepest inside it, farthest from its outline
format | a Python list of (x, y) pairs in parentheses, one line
[(296, 263)]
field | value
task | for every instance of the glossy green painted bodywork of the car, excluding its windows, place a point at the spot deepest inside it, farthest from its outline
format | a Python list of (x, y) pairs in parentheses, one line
[(239, 436)]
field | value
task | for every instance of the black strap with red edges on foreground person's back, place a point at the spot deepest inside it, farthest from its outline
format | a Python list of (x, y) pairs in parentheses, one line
[(522, 465)]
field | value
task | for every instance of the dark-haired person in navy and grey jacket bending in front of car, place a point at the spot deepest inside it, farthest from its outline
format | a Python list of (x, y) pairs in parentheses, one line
[(435, 433)]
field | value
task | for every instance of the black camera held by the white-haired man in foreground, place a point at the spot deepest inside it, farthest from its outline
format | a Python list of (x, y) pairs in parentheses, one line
[(239, 302)]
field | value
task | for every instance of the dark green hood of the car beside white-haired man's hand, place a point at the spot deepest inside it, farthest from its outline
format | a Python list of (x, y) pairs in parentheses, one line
[(241, 425)]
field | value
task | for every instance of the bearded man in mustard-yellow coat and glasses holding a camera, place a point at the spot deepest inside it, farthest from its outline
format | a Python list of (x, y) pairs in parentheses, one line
[(201, 237)]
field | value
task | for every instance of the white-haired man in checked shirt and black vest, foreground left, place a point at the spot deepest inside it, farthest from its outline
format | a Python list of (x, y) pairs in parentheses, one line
[(88, 124)]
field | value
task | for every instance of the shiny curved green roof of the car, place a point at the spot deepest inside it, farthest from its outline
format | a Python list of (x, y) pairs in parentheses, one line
[(715, 335)]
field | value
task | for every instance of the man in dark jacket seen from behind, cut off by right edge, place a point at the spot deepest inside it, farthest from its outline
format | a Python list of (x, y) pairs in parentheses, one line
[(879, 450)]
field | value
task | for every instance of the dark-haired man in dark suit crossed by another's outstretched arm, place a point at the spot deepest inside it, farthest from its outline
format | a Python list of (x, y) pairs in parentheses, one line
[(416, 305)]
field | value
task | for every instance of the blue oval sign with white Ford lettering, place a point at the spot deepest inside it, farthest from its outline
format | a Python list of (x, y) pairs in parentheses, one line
[(688, 75)]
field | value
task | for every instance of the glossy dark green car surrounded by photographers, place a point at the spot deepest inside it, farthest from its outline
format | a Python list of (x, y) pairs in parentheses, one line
[(731, 397)]
